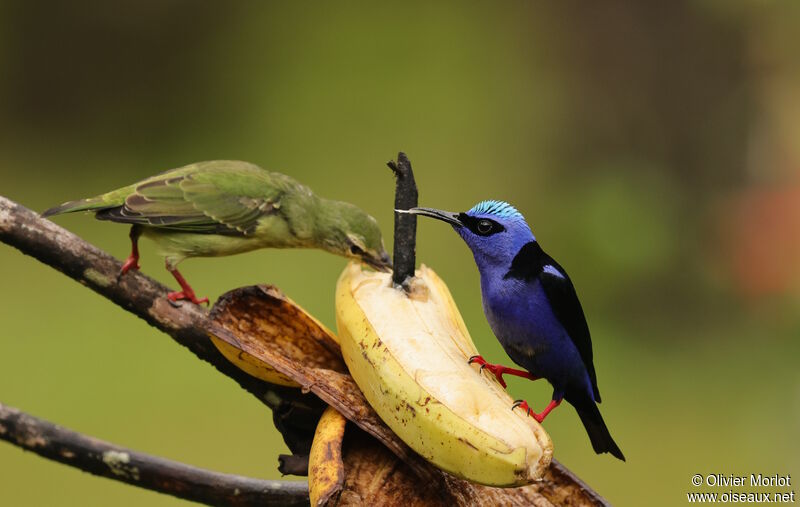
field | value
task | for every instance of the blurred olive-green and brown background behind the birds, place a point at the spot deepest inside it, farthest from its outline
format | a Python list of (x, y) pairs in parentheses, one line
[(652, 146)]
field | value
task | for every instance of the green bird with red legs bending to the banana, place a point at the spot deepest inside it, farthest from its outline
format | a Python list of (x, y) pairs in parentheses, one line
[(225, 207)]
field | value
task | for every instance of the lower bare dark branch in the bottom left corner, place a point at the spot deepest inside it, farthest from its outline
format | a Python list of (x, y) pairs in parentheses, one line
[(150, 472)]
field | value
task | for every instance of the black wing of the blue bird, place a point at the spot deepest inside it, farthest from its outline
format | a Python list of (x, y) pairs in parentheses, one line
[(533, 263)]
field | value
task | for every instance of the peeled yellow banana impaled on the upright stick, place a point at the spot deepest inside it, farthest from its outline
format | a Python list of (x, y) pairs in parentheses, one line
[(408, 353)]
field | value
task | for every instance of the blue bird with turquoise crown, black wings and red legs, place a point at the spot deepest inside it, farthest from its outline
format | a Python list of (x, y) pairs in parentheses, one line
[(533, 309)]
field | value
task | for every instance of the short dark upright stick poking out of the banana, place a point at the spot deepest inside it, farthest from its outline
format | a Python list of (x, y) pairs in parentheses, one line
[(405, 225)]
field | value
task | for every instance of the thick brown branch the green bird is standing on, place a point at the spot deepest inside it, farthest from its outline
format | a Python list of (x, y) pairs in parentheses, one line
[(187, 323)]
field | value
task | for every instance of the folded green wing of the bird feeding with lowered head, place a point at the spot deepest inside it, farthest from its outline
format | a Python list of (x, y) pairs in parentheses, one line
[(218, 197)]
